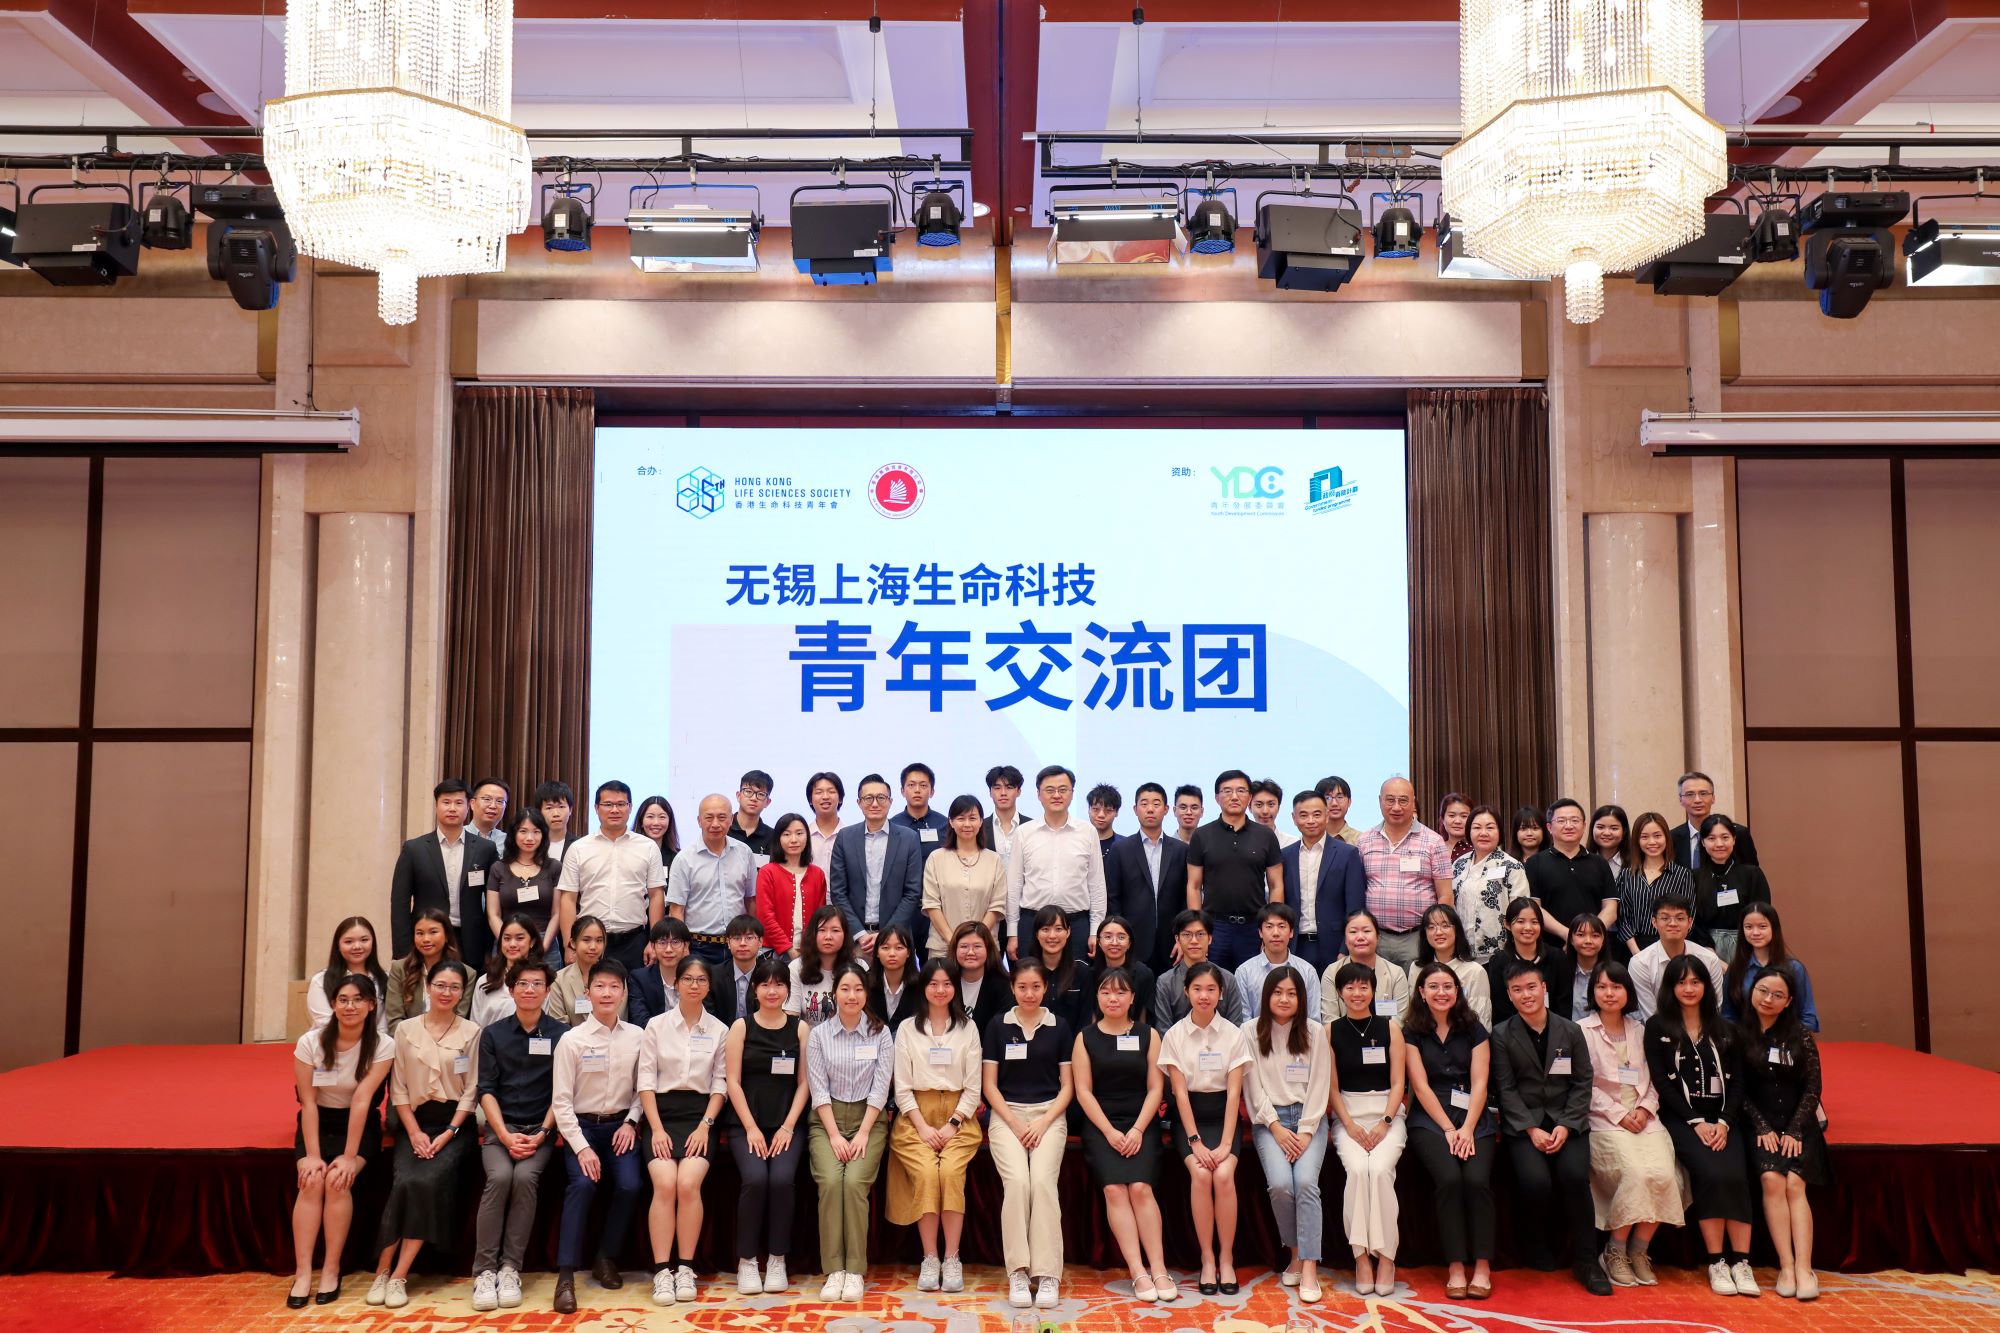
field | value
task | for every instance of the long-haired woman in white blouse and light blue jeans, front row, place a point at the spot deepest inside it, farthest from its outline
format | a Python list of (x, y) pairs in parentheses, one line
[(1287, 1090)]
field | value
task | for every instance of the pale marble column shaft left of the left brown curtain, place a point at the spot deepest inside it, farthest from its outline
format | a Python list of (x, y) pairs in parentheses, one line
[(359, 724)]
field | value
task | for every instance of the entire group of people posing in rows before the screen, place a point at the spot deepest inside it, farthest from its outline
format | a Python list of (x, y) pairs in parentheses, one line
[(1611, 1002)]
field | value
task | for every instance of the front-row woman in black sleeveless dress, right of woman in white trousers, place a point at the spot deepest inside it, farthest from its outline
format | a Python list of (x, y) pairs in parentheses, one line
[(1119, 1086)]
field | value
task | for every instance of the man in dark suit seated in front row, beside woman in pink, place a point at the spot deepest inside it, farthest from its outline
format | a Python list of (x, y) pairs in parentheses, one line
[(1543, 1076)]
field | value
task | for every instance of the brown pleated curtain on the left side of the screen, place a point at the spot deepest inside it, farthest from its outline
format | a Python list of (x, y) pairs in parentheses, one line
[(517, 694)]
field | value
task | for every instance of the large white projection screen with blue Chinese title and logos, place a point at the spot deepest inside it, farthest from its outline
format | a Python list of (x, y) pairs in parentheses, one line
[(1271, 565)]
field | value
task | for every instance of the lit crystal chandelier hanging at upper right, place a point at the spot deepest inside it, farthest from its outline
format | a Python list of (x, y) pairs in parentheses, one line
[(1585, 147)]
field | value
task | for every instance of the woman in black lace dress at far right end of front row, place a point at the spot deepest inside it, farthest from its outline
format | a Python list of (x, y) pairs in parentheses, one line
[(1783, 1124)]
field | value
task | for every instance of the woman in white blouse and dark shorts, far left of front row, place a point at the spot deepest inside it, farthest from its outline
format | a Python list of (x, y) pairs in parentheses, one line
[(339, 1070)]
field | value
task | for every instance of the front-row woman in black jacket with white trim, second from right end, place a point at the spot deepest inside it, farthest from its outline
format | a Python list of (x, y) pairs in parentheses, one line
[(1697, 1068)]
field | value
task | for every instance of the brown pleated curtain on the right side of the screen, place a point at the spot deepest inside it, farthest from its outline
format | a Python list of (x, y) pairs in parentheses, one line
[(1483, 649)]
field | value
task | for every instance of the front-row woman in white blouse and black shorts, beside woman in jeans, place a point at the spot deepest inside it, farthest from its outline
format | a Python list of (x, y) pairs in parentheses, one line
[(1205, 1060)]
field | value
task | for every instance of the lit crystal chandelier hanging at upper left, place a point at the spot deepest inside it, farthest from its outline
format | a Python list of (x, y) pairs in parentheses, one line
[(391, 147)]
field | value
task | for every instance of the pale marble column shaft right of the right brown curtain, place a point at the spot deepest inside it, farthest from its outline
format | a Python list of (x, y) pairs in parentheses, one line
[(1639, 732)]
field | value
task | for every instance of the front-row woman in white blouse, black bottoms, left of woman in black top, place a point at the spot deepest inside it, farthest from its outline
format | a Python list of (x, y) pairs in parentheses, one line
[(683, 1078)]
